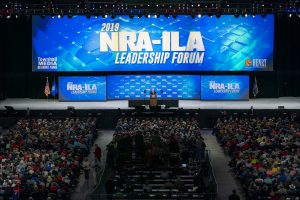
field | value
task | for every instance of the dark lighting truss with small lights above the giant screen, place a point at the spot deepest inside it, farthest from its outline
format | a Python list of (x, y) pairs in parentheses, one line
[(136, 8)]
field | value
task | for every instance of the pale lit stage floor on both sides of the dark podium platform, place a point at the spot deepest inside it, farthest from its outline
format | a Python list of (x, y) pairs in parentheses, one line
[(43, 104)]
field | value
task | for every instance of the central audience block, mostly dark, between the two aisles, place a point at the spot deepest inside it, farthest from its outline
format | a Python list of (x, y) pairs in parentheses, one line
[(157, 158)]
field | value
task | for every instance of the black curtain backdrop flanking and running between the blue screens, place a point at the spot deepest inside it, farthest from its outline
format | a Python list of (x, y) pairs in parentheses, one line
[(18, 81)]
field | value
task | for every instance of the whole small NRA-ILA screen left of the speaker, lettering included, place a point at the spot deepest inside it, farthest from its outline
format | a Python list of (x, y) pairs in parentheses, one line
[(82, 88)]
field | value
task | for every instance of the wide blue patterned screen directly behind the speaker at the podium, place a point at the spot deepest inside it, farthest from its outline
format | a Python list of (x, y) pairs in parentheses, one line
[(166, 86)]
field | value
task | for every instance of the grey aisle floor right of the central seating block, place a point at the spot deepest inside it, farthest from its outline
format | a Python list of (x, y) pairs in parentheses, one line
[(224, 177)]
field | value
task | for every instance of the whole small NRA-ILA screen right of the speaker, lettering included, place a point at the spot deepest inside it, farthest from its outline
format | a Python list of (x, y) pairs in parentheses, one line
[(224, 87)]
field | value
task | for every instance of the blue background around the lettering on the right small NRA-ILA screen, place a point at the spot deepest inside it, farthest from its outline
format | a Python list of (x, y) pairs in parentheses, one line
[(208, 94)]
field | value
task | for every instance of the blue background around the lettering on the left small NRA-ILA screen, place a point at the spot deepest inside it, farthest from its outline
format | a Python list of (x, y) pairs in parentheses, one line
[(66, 95)]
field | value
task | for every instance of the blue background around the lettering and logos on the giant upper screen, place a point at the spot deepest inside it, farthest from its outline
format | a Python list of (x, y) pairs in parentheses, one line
[(228, 42)]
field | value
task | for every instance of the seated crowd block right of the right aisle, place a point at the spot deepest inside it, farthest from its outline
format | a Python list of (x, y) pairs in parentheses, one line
[(265, 155)]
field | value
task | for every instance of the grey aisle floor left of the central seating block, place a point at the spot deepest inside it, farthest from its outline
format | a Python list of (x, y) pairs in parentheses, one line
[(83, 187)]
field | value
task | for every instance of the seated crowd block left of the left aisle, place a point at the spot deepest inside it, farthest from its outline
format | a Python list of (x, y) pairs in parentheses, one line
[(41, 158)]
